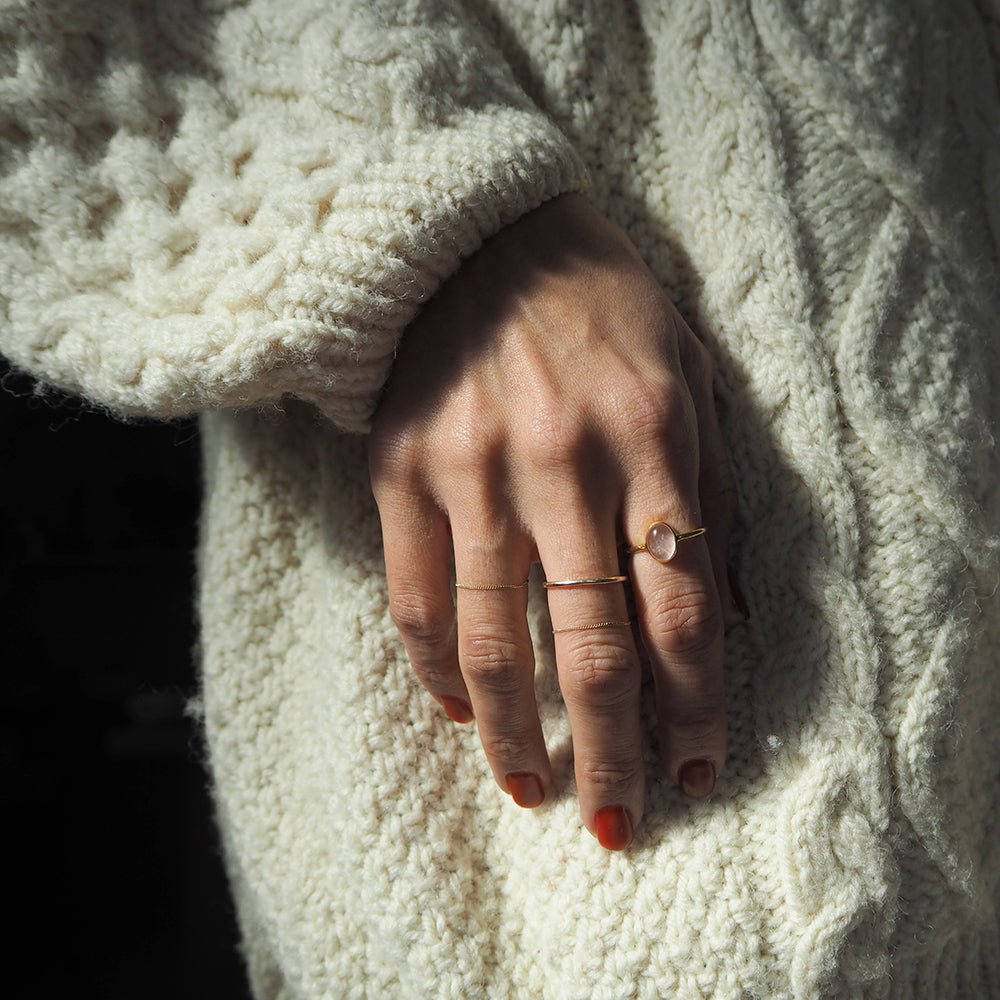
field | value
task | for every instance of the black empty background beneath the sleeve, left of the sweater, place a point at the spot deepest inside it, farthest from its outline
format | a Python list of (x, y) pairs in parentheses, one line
[(117, 884)]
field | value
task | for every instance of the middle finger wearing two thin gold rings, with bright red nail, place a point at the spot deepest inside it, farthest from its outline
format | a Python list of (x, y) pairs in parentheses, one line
[(599, 674)]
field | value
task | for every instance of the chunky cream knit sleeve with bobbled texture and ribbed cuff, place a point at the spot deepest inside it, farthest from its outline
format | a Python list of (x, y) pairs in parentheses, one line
[(215, 204)]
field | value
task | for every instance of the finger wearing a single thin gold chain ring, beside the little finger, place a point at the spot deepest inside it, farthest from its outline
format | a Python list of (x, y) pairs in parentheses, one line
[(492, 559)]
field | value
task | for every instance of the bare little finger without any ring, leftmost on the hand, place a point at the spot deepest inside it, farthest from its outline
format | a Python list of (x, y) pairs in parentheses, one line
[(417, 545)]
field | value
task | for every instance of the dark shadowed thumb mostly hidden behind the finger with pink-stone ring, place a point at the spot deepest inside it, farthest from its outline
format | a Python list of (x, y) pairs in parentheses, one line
[(716, 484)]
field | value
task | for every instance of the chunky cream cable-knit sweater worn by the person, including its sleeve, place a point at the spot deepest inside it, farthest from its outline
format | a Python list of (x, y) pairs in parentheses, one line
[(235, 208)]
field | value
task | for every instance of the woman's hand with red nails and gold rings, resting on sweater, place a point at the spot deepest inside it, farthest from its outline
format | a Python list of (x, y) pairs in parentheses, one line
[(549, 404)]
